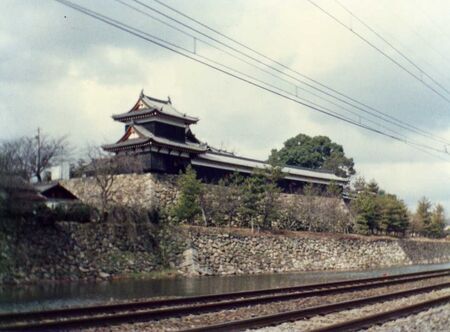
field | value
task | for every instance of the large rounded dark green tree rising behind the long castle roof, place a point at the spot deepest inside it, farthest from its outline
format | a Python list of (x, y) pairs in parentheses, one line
[(317, 152)]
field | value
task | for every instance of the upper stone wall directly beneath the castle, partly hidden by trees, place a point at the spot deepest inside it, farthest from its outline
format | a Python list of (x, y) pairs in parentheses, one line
[(151, 190)]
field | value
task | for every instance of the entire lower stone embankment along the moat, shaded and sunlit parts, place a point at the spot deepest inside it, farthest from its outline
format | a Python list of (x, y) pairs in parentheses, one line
[(71, 251)]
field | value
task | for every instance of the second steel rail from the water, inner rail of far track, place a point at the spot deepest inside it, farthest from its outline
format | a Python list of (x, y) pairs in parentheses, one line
[(182, 310)]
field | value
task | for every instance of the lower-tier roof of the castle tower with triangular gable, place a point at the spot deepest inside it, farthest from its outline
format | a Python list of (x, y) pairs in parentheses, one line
[(138, 136)]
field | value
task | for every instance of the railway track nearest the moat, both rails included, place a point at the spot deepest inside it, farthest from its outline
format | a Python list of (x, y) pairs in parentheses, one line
[(158, 309)]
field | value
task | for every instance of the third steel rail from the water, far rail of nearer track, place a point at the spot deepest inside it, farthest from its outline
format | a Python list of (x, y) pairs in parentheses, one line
[(288, 316)]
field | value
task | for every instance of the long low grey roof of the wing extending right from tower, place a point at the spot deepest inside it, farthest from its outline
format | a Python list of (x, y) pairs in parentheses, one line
[(235, 163)]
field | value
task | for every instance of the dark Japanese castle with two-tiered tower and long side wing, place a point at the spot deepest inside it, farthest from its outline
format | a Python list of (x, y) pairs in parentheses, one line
[(159, 133)]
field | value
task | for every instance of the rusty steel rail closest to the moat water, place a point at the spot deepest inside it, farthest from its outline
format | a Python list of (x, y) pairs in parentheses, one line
[(137, 305)]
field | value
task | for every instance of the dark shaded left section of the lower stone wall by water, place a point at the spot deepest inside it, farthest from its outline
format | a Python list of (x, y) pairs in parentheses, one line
[(72, 251)]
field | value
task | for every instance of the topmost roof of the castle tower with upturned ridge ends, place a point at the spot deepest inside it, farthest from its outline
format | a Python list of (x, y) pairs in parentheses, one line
[(148, 106)]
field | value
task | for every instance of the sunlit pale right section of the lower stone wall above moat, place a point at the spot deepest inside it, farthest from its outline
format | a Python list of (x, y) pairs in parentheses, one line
[(215, 251)]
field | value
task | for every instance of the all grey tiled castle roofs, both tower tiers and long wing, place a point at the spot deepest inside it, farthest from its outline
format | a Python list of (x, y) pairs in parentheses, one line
[(138, 137)]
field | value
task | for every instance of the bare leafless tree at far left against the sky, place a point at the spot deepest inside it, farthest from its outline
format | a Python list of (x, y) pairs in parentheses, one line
[(30, 156)]
